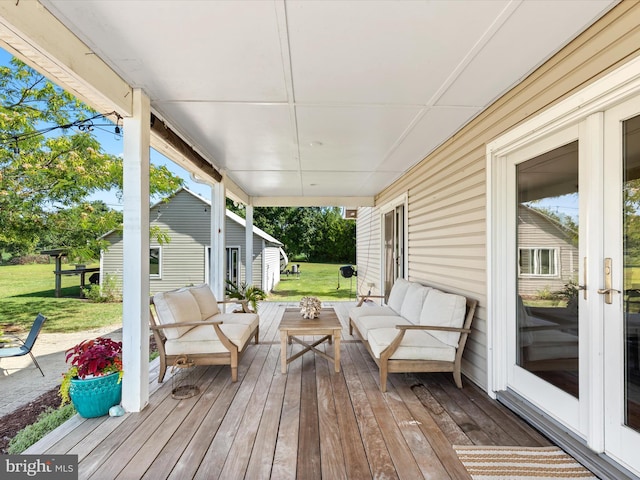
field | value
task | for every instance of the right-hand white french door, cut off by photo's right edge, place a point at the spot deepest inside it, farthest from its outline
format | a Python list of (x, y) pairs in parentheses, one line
[(621, 285)]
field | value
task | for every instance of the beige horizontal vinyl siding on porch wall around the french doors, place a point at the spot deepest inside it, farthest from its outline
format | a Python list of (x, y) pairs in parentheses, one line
[(447, 191)]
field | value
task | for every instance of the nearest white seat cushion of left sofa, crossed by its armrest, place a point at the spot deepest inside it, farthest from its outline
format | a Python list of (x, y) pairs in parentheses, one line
[(203, 340)]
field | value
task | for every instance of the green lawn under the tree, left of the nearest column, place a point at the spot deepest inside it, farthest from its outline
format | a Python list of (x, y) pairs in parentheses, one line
[(26, 290)]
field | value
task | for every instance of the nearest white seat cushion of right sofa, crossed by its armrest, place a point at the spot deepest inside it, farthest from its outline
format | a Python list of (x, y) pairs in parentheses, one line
[(415, 345)]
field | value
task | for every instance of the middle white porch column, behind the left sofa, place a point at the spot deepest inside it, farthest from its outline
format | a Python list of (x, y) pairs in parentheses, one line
[(218, 252)]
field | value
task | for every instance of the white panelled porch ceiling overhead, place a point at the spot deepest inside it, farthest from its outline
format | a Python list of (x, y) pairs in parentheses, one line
[(318, 99)]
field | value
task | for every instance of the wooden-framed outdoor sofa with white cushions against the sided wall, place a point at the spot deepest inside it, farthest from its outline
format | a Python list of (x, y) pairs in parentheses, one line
[(420, 329)]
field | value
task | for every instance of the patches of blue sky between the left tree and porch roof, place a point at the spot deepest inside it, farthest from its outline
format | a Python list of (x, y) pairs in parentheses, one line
[(113, 144)]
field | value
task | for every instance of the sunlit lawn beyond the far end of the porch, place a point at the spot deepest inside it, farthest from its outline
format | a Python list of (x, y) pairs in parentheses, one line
[(318, 280)]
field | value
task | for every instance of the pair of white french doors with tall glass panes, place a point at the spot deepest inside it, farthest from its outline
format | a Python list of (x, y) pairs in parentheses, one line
[(573, 341)]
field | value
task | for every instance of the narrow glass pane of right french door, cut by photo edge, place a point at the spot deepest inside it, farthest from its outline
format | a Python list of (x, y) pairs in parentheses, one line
[(631, 222)]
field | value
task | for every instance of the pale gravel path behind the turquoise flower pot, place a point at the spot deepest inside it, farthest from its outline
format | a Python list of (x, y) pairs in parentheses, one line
[(20, 380)]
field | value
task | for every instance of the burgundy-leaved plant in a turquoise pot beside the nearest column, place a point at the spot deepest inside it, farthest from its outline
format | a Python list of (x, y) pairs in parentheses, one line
[(93, 382)]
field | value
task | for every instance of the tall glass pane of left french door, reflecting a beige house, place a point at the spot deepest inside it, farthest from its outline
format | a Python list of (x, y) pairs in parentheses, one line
[(548, 262)]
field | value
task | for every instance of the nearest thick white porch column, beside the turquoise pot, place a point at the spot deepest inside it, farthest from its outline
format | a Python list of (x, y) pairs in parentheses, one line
[(135, 269)]
